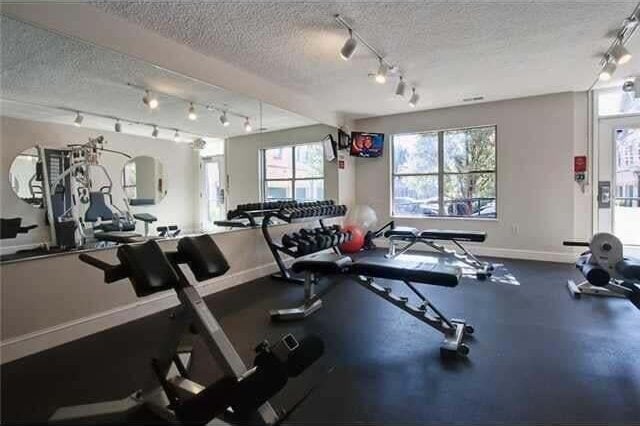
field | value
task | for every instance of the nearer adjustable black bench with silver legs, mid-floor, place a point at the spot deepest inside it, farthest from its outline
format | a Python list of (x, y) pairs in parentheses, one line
[(364, 271)]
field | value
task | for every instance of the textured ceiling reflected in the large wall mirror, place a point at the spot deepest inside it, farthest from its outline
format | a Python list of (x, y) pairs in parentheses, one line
[(41, 67)]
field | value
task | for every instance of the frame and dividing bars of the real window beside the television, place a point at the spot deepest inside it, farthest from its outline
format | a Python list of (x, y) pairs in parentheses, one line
[(441, 173)]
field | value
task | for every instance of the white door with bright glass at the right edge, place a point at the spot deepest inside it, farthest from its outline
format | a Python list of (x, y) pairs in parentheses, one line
[(618, 194)]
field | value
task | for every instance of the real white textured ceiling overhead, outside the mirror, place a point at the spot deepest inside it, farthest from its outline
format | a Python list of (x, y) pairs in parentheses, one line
[(449, 49)]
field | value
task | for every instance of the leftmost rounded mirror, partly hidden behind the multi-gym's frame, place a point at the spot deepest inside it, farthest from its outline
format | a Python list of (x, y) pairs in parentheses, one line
[(24, 178)]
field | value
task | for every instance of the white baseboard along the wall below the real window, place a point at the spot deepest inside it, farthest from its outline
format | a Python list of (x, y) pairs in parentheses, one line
[(482, 250)]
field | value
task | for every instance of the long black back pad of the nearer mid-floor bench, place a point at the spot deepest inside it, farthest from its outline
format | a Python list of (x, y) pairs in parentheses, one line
[(412, 271)]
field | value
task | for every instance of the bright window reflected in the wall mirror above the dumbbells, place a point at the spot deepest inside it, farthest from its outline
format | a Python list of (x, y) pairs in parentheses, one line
[(293, 172)]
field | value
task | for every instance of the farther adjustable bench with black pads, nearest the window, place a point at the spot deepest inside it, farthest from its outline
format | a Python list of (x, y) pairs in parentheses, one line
[(411, 236)]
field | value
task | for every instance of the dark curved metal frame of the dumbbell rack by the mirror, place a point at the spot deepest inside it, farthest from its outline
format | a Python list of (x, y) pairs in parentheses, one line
[(277, 249)]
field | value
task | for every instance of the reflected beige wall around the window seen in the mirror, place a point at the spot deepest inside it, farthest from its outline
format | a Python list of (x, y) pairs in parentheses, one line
[(242, 161)]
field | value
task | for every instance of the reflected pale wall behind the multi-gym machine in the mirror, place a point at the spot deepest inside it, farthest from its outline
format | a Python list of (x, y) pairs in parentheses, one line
[(17, 135)]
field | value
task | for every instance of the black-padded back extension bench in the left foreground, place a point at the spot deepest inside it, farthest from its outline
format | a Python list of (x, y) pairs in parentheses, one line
[(242, 395)]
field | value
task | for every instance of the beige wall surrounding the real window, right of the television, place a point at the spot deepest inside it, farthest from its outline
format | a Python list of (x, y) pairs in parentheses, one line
[(539, 205)]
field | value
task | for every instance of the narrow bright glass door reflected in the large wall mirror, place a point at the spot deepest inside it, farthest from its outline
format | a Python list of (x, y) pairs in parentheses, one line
[(212, 192)]
